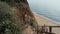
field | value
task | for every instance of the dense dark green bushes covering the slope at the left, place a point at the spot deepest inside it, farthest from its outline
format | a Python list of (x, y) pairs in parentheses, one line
[(7, 24)]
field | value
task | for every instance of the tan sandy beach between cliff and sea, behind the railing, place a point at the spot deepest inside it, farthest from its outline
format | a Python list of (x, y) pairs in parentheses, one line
[(48, 22)]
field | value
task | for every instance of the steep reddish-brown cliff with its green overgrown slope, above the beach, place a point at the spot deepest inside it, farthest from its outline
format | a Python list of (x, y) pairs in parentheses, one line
[(20, 16)]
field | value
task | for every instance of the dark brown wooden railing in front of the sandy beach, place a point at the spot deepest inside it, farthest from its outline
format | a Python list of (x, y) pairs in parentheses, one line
[(43, 29)]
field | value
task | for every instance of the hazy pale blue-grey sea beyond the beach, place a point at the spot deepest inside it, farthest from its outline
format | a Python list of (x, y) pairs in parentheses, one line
[(47, 8)]
